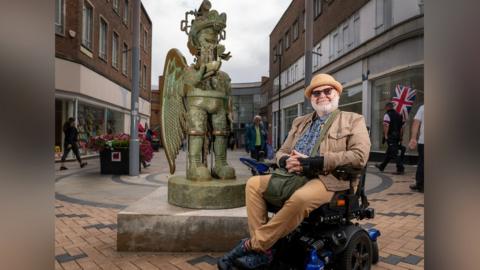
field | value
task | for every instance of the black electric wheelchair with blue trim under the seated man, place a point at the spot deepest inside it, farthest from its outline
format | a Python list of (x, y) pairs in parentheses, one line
[(330, 234)]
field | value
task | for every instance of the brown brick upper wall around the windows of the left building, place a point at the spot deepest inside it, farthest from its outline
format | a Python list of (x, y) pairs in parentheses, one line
[(68, 47)]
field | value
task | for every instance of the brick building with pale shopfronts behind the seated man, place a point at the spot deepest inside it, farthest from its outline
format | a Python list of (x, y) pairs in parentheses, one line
[(370, 46)]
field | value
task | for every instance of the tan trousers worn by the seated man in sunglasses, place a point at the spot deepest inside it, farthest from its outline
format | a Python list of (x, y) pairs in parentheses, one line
[(263, 234)]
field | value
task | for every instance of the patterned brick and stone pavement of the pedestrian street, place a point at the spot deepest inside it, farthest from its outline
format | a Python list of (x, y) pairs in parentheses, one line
[(87, 204)]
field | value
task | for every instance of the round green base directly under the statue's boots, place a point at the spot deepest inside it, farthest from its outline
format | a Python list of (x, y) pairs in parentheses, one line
[(214, 194)]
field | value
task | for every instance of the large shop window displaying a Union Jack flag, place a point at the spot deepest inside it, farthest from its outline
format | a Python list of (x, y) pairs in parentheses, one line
[(383, 90)]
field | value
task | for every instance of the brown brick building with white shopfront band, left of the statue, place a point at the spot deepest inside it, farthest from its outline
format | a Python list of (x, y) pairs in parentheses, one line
[(93, 69)]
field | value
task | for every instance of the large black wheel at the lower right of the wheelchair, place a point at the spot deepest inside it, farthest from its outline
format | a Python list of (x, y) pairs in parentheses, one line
[(358, 254)]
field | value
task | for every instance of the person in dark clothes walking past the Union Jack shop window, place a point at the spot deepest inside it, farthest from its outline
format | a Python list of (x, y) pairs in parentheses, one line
[(392, 135)]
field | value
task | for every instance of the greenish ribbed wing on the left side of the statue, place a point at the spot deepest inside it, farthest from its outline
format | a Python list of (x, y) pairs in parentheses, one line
[(173, 108)]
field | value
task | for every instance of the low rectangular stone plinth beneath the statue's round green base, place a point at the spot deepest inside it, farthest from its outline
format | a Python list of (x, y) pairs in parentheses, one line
[(151, 224)]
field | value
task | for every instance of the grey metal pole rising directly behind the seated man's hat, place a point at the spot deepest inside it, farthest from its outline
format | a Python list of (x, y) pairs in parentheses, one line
[(307, 107)]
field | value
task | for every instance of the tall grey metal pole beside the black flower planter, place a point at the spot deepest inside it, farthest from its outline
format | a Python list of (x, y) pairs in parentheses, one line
[(134, 151)]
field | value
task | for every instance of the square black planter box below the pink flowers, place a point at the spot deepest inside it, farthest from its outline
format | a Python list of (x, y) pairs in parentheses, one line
[(115, 161)]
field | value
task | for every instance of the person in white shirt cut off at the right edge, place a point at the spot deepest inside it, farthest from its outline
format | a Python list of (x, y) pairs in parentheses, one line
[(417, 132)]
